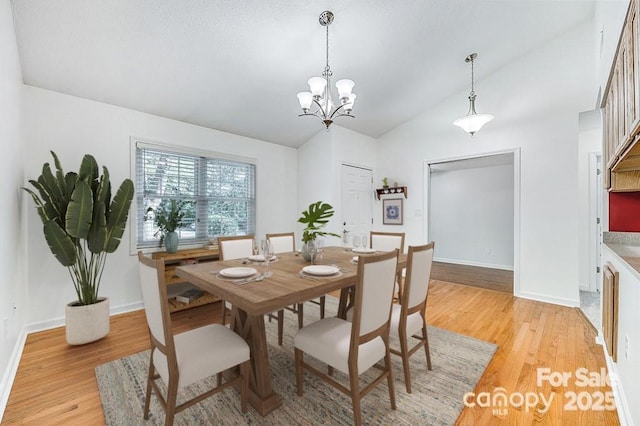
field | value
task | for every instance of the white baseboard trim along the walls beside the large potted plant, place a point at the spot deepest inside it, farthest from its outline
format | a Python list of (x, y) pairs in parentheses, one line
[(14, 361)]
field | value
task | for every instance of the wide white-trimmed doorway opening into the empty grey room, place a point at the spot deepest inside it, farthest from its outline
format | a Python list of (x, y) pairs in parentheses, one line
[(473, 216)]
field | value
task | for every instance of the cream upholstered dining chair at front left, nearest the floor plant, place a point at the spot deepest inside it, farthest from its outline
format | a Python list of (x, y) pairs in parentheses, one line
[(185, 358)]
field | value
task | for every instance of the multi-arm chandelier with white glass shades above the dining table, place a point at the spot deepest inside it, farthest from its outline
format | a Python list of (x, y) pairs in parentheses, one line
[(320, 95)]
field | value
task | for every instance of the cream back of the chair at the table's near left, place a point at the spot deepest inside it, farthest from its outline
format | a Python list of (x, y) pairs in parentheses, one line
[(153, 295)]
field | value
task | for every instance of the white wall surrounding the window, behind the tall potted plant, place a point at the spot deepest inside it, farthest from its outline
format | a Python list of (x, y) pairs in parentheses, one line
[(72, 127)]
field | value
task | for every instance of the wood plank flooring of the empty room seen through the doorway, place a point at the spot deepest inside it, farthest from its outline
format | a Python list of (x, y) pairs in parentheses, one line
[(490, 278)]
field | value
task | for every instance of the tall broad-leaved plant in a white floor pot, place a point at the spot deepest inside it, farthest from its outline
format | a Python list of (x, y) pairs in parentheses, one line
[(82, 224)]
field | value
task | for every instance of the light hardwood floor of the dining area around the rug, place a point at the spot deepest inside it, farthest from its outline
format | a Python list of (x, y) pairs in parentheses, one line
[(56, 384)]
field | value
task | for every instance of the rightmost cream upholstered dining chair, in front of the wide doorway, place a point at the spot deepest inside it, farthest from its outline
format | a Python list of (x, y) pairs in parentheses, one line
[(409, 317)]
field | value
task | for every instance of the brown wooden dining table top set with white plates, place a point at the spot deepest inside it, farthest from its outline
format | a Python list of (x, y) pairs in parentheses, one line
[(285, 287)]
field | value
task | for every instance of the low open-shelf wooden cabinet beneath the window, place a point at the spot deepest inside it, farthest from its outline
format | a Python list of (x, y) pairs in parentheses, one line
[(182, 257)]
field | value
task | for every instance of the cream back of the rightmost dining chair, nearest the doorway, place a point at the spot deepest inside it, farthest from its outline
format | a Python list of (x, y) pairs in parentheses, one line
[(419, 260)]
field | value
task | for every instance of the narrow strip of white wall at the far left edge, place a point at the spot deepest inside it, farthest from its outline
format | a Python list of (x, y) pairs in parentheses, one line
[(12, 248)]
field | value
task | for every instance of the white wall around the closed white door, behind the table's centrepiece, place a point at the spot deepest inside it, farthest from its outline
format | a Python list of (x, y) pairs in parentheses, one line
[(320, 169)]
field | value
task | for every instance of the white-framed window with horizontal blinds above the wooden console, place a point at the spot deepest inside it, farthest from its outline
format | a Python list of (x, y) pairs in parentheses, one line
[(218, 194)]
